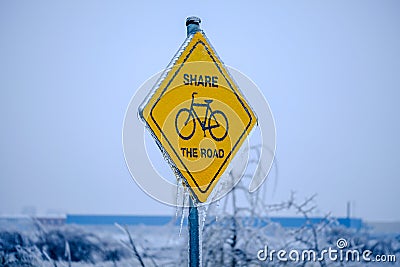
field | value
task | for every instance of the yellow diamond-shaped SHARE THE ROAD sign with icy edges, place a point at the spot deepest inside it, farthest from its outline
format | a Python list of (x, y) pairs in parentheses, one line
[(197, 115)]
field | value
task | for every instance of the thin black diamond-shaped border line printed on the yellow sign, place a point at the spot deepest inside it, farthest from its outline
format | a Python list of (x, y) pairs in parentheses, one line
[(238, 98)]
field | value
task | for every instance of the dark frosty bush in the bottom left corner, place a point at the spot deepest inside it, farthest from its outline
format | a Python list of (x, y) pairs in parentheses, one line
[(62, 244)]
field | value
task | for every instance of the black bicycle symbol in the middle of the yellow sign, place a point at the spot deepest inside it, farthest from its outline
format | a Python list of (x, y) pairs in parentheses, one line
[(215, 121)]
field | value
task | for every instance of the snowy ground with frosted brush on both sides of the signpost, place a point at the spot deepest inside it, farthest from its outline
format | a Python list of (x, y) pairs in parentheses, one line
[(227, 241)]
